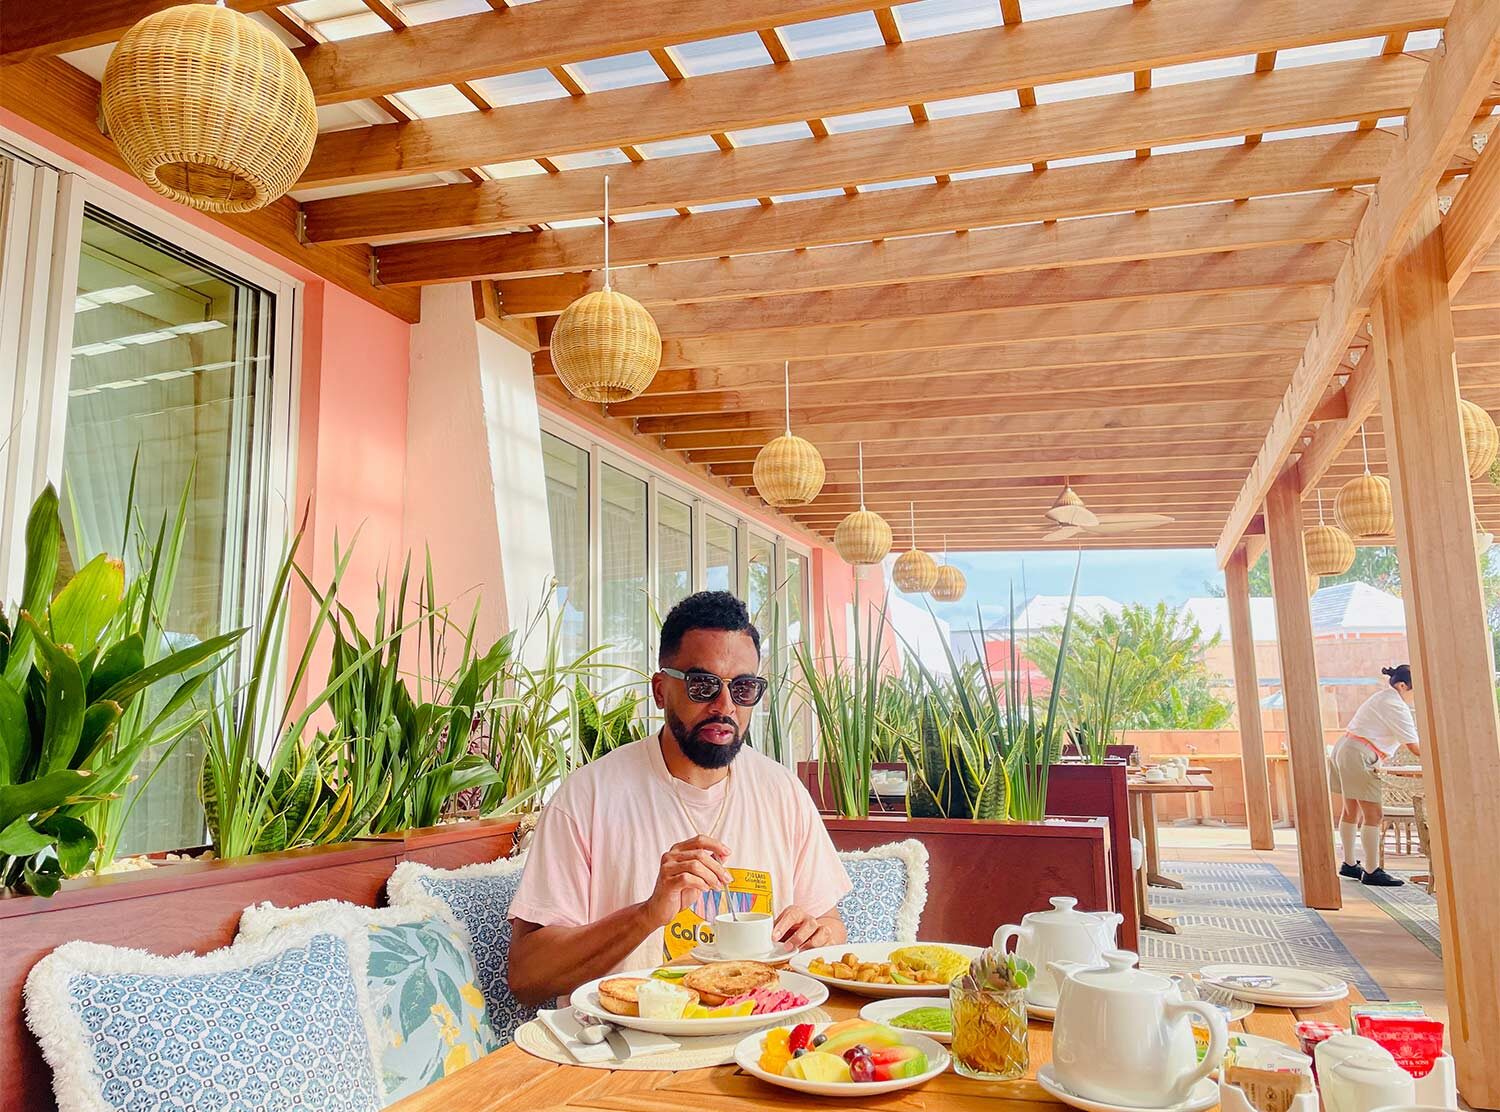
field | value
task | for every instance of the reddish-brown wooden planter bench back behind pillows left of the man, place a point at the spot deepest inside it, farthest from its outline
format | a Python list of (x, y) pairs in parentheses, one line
[(196, 906)]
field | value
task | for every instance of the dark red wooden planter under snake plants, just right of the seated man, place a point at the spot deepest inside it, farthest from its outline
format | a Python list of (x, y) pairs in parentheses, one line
[(986, 874)]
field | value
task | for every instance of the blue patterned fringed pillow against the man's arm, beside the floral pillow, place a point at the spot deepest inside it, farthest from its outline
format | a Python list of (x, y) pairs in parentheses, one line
[(479, 897)]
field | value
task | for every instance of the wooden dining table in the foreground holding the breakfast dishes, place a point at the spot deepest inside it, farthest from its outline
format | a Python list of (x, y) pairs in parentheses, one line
[(514, 1081)]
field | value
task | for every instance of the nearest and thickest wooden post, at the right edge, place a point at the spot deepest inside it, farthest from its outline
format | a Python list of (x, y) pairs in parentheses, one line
[(1451, 651)]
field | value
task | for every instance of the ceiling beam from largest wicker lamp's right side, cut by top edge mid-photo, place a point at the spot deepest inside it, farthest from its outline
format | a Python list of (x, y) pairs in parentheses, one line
[(526, 37)]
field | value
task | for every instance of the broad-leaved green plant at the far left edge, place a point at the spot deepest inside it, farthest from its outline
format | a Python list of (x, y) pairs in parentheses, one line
[(73, 666)]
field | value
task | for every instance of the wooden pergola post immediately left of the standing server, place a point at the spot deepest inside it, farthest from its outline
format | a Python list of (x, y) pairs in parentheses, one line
[(1289, 583)]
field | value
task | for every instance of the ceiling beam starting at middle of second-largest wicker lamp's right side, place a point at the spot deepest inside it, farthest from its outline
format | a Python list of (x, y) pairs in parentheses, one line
[(998, 326)]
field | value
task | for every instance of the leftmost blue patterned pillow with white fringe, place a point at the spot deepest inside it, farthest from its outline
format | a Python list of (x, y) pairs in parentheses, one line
[(271, 1026)]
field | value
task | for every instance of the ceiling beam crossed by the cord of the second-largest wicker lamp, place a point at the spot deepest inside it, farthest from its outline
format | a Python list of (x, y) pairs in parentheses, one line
[(1289, 166)]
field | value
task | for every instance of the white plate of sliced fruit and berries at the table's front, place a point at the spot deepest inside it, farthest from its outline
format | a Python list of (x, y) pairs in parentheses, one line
[(901, 1059)]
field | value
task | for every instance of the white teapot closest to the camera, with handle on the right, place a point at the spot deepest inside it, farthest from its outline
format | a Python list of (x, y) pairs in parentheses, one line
[(1124, 1036)]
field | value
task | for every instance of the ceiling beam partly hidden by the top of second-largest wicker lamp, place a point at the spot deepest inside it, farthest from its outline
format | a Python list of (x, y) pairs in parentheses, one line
[(1037, 256)]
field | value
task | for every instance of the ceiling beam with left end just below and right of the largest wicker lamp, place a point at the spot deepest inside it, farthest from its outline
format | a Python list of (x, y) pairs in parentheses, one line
[(1205, 110)]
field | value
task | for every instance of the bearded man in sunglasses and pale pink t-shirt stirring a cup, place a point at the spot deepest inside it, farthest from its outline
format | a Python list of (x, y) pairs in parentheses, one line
[(640, 852)]
